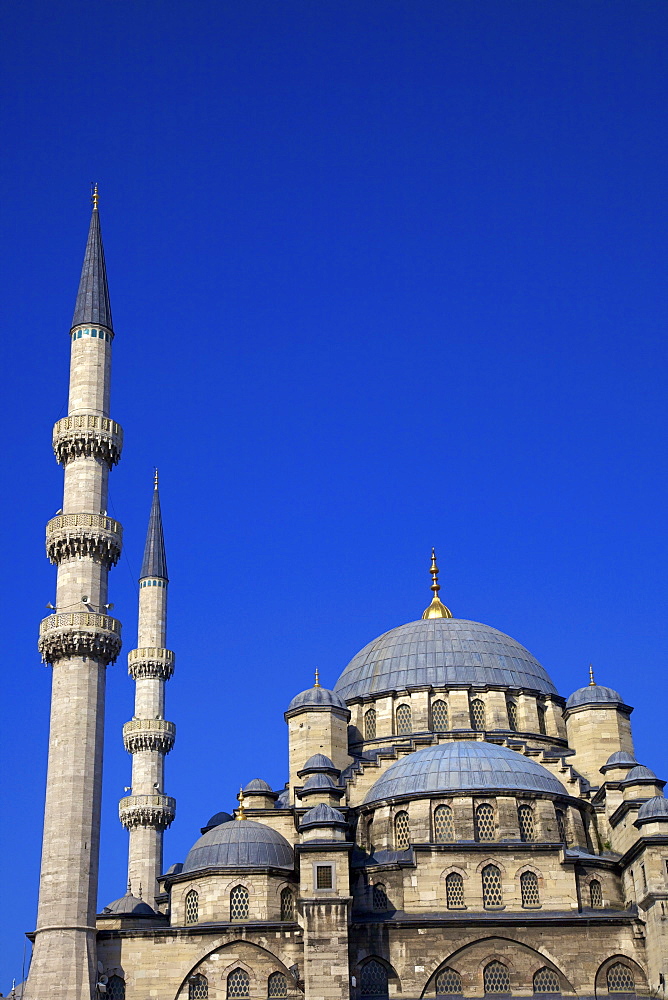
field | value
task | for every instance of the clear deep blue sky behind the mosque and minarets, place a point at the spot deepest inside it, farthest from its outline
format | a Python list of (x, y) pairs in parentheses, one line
[(385, 274)]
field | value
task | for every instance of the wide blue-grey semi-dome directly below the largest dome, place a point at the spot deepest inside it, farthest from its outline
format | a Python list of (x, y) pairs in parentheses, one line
[(461, 767)]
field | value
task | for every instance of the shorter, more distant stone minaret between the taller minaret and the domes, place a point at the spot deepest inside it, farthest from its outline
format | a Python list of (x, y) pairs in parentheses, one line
[(148, 737)]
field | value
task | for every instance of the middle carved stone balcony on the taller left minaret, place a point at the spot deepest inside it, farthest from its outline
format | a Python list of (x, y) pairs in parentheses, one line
[(76, 536)]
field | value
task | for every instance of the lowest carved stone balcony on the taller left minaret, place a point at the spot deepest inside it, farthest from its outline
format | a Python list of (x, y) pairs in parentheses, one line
[(79, 633)]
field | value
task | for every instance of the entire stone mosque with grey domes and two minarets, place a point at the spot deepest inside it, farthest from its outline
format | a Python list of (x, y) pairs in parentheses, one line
[(450, 824)]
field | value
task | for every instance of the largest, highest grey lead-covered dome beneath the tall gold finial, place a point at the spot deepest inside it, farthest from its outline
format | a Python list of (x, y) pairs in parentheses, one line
[(441, 652)]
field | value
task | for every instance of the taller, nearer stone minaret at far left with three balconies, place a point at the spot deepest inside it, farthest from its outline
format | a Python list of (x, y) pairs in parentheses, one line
[(79, 639)]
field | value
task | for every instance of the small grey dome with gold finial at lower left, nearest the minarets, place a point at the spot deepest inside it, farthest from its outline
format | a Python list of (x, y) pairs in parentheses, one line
[(242, 844)]
